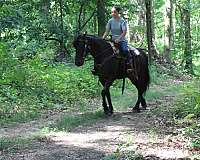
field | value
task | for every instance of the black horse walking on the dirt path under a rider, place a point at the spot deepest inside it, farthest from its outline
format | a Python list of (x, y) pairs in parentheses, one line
[(110, 66)]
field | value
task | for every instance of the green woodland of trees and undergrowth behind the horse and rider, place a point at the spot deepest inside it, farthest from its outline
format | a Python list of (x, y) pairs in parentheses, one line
[(37, 68)]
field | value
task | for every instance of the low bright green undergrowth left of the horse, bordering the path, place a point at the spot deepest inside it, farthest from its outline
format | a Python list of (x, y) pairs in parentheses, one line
[(30, 86)]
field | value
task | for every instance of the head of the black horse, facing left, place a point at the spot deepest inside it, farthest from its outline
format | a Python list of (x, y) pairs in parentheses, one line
[(80, 44)]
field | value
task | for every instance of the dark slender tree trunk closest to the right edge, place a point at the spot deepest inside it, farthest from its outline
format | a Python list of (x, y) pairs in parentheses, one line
[(188, 43)]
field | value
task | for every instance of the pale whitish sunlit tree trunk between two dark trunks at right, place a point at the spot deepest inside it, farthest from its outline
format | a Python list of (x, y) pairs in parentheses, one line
[(168, 33)]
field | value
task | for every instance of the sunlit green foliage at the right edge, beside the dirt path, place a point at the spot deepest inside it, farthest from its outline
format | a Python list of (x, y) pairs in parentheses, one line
[(187, 112)]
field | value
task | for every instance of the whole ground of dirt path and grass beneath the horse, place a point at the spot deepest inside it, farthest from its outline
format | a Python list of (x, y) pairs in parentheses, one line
[(151, 133)]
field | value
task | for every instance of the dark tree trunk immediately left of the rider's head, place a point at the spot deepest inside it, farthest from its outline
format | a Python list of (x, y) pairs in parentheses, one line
[(101, 16)]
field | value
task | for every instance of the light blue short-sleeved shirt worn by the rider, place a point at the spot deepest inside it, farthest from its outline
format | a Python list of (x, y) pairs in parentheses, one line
[(116, 27)]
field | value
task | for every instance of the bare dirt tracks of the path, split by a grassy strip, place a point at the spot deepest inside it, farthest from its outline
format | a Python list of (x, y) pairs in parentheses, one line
[(143, 132)]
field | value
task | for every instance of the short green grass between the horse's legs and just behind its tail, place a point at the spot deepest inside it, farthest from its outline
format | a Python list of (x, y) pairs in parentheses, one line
[(123, 102)]
